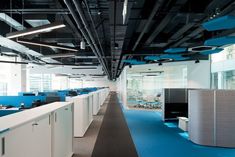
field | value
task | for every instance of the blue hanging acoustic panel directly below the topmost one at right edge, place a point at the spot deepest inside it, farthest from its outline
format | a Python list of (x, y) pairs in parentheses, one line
[(228, 40)]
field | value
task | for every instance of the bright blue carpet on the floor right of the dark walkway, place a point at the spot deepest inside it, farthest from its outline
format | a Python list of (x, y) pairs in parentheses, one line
[(153, 138)]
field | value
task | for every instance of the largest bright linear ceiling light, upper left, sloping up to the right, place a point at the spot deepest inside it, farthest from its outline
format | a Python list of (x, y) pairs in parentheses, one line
[(35, 30)]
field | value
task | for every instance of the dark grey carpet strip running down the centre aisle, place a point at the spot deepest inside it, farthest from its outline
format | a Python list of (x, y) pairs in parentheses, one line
[(114, 138)]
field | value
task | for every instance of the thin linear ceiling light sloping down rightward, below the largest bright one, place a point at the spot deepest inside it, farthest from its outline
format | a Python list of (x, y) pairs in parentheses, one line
[(46, 45)]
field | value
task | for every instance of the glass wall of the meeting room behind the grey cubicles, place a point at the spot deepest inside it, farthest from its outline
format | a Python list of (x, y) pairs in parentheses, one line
[(145, 86)]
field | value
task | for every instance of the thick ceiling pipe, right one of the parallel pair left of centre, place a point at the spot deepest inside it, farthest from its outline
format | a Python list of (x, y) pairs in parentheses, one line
[(84, 21)]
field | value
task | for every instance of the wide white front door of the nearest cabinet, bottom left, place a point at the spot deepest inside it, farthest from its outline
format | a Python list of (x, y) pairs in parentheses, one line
[(30, 139)]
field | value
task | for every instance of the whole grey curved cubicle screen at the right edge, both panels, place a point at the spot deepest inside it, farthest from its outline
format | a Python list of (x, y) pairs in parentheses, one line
[(211, 117)]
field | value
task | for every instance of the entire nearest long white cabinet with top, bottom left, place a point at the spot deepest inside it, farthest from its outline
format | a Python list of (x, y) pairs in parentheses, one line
[(43, 131)]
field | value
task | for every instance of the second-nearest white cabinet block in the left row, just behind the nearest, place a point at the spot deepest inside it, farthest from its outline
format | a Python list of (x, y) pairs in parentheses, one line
[(82, 113)]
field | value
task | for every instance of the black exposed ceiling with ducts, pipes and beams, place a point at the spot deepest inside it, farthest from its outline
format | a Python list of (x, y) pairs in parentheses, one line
[(150, 27)]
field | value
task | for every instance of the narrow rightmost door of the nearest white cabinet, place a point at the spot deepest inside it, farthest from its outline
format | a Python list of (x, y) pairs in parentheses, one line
[(62, 132)]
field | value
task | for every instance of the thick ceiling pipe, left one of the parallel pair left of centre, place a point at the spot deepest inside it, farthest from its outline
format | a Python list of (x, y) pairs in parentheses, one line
[(83, 31)]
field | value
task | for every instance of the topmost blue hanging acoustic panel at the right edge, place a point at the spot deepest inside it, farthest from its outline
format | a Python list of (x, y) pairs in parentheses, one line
[(220, 23)]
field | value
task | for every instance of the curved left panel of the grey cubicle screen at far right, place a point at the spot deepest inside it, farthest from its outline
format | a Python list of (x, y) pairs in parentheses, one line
[(201, 117)]
